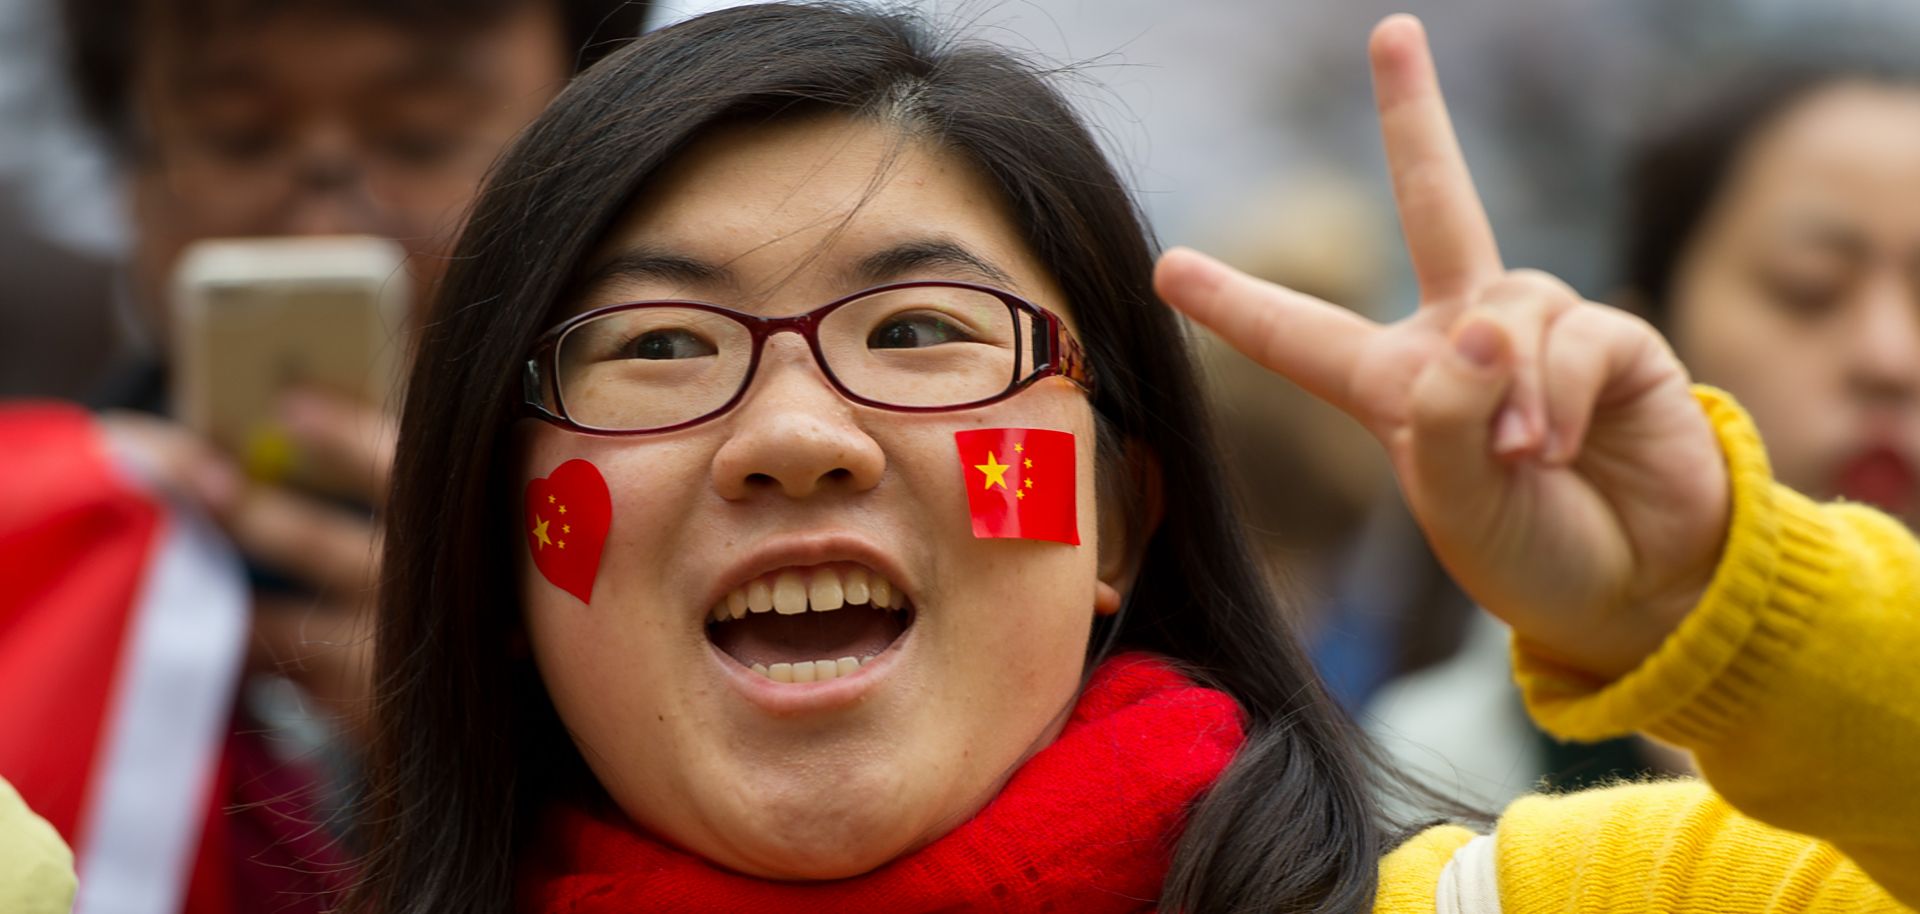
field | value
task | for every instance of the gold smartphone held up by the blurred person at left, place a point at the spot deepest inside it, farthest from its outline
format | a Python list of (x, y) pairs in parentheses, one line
[(256, 318)]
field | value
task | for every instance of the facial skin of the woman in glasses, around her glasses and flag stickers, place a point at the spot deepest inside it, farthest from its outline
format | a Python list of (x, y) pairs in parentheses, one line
[(825, 779)]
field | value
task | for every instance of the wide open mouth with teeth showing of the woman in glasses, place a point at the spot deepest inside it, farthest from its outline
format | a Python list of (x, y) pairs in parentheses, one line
[(811, 625)]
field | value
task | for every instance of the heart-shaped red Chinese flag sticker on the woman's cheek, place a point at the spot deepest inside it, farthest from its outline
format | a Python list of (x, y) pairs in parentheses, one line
[(567, 517)]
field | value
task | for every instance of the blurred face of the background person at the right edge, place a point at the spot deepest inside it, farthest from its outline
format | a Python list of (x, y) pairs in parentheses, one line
[(1802, 295)]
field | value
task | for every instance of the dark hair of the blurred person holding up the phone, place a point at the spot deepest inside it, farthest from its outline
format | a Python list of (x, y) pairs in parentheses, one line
[(105, 37)]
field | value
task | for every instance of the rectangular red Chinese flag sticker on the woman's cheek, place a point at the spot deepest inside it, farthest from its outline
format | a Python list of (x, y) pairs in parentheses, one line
[(1020, 483)]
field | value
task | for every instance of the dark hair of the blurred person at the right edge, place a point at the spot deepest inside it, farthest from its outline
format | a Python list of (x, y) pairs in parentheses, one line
[(1677, 170)]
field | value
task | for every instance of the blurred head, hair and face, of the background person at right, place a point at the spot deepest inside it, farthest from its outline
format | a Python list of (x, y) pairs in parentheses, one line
[(1773, 233)]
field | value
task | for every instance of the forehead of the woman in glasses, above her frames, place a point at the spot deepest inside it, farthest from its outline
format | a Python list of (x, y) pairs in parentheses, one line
[(819, 206)]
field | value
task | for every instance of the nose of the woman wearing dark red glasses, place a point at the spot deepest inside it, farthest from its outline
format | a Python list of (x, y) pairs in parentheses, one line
[(796, 433)]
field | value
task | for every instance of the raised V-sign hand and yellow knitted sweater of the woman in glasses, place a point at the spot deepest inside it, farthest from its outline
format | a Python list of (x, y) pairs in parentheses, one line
[(1564, 475)]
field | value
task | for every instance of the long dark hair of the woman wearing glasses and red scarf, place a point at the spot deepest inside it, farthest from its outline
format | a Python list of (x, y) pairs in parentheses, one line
[(466, 742)]
